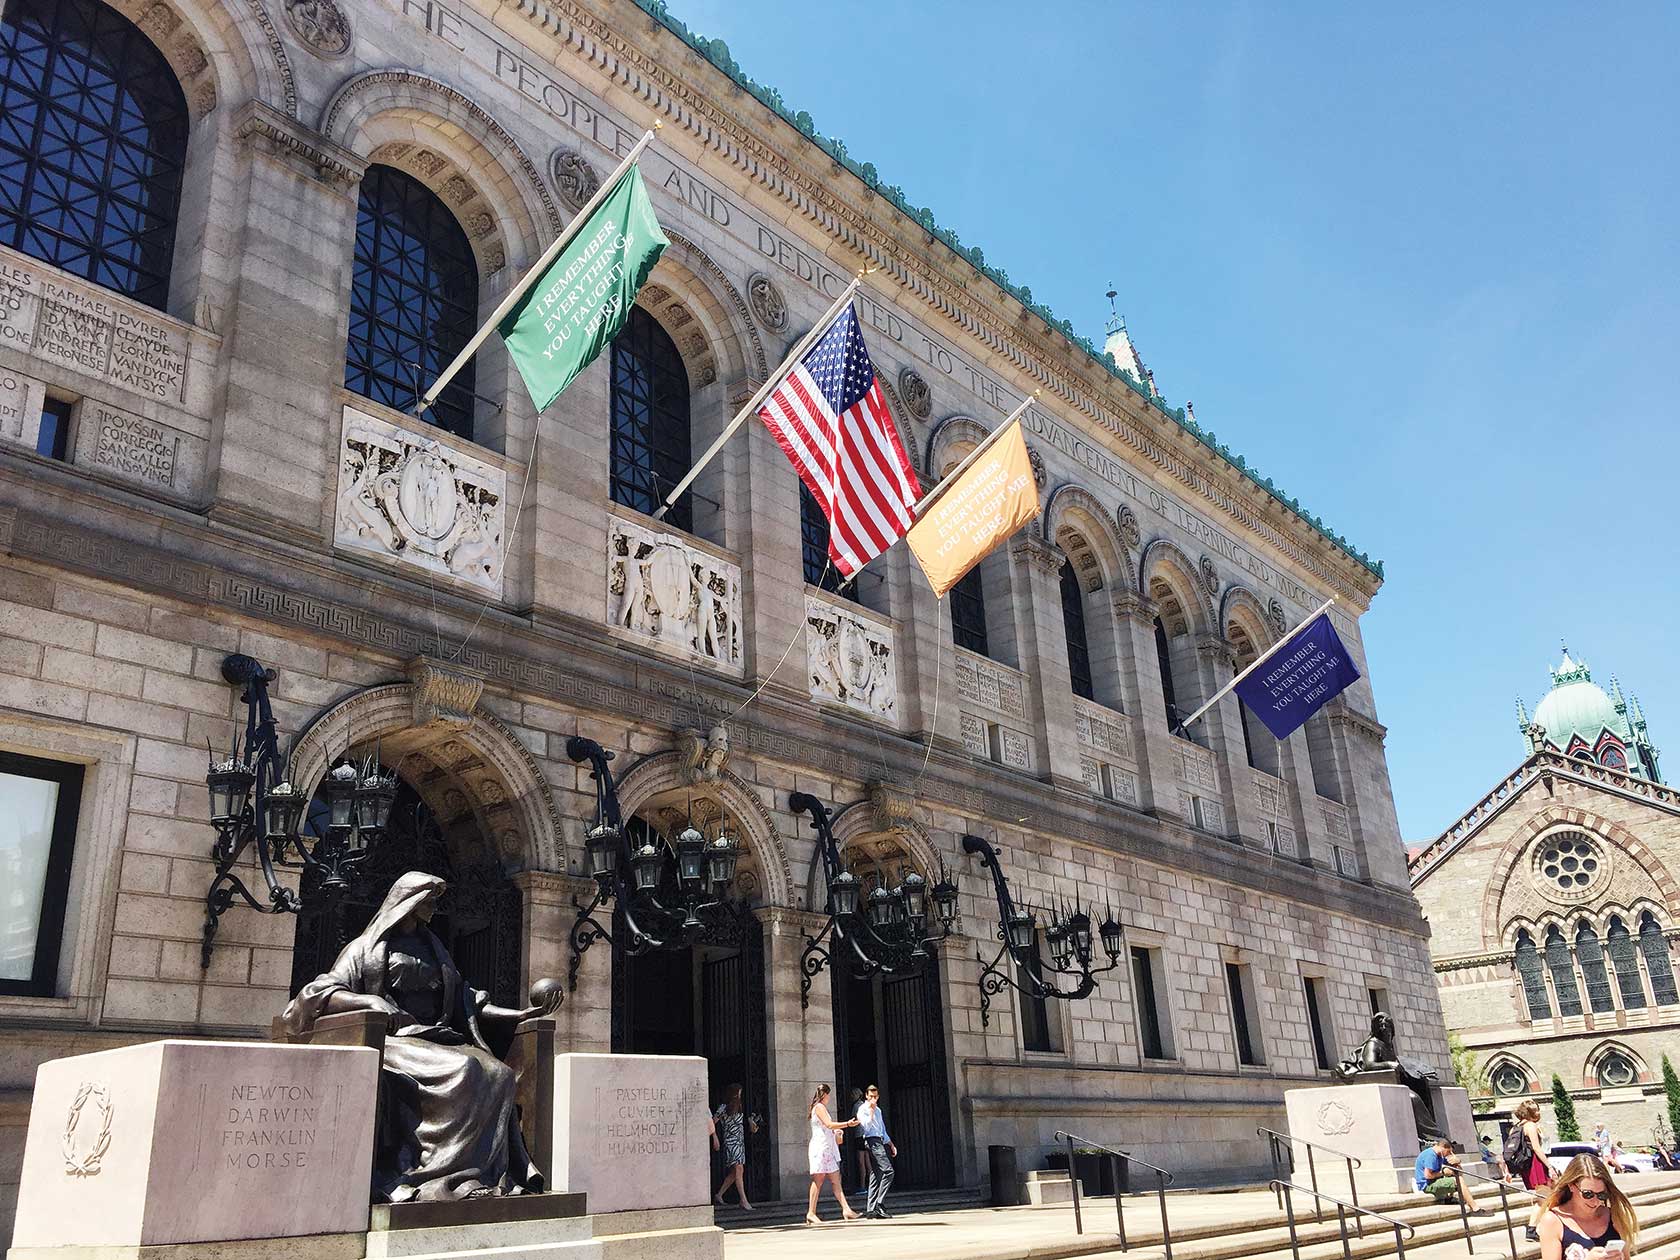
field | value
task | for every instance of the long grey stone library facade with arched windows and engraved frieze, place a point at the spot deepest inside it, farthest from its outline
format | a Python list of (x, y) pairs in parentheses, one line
[(202, 456)]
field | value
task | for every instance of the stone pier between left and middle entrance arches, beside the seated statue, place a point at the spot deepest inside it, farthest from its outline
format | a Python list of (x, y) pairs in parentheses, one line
[(587, 1016)]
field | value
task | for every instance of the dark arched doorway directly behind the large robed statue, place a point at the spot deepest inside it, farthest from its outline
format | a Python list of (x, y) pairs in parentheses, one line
[(478, 920)]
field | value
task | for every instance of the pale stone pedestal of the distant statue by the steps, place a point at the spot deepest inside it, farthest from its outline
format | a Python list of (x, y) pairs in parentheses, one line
[(1373, 1125)]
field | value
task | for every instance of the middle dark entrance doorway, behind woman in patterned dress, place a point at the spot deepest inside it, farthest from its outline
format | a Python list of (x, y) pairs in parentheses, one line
[(706, 1000)]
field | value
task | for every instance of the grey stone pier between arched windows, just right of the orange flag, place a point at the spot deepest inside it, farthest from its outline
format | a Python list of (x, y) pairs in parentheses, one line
[(1041, 641)]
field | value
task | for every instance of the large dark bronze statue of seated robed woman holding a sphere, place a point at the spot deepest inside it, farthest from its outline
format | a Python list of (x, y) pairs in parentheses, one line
[(448, 1125)]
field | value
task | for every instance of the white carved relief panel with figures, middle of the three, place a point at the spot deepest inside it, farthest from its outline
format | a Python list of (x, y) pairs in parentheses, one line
[(671, 596)]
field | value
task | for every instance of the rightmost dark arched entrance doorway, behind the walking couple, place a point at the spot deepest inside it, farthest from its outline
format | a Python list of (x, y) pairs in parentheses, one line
[(890, 1032)]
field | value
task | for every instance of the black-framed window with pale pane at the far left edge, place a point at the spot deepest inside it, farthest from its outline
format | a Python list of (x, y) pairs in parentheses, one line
[(39, 804)]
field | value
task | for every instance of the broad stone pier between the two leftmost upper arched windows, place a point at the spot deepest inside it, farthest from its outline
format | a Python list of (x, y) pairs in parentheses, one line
[(283, 339)]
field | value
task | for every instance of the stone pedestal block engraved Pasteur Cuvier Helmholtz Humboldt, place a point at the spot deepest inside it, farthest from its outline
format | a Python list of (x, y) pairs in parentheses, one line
[(631, 1131)]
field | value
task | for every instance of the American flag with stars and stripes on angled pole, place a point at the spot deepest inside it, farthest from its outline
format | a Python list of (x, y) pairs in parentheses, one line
[(831, 421)]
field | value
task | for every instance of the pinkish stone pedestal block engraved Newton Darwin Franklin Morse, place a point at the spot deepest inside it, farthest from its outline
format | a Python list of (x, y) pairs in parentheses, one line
[(176, 1143)]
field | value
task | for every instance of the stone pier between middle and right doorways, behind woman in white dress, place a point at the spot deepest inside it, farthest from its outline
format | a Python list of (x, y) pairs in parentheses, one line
[(802, 1044)]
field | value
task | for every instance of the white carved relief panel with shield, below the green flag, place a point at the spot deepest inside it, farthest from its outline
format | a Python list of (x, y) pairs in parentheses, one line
[(407, 496)]
